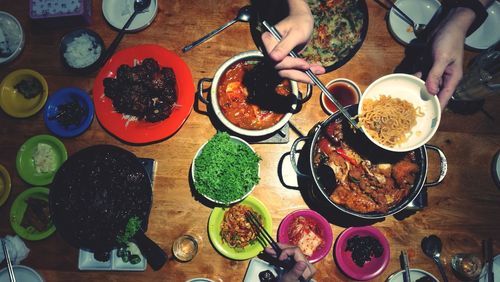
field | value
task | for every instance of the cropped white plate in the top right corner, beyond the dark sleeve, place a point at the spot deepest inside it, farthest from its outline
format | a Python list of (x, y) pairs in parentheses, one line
[(487, 34)]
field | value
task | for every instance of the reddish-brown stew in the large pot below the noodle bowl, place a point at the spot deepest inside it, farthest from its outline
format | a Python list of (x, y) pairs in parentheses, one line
[(363, 184)]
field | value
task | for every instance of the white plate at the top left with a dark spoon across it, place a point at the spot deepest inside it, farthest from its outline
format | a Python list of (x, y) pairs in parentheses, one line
[(117, 12)]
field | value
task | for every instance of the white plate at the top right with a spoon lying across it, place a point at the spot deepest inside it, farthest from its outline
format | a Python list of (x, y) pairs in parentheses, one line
[(421, 12)]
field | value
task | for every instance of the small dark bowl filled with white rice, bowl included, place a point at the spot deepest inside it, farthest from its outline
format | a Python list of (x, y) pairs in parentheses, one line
[(81, 50)]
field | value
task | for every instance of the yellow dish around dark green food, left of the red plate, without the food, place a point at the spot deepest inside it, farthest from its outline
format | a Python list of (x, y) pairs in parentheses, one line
[(13, 102)]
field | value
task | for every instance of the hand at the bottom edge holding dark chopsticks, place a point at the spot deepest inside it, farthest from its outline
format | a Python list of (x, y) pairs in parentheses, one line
[(302, 266)]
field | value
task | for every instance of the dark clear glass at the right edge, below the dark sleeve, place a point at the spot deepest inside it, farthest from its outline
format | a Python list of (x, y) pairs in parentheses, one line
[(481, 78)]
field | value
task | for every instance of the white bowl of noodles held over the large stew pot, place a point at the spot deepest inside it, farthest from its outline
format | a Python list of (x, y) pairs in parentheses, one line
[(411, 115)]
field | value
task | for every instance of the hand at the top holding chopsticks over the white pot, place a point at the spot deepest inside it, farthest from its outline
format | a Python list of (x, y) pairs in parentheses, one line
[(296, 30)]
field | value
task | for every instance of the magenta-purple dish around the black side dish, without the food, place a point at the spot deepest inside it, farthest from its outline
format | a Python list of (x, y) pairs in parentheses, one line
[(371, 268)]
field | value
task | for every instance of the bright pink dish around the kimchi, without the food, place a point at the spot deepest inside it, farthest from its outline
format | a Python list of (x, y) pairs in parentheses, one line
[(321, 251)]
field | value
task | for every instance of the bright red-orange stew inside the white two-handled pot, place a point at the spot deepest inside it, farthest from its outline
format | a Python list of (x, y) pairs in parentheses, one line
[(233, 94)]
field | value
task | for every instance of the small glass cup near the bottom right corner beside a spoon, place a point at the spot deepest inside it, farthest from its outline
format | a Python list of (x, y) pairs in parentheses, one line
[(467, 266)]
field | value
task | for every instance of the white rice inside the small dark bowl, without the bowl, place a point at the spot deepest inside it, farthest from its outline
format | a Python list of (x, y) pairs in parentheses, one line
[(82, 51)]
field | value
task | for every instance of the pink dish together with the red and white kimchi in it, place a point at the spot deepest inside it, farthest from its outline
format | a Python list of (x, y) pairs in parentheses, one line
[(309, 231)]
